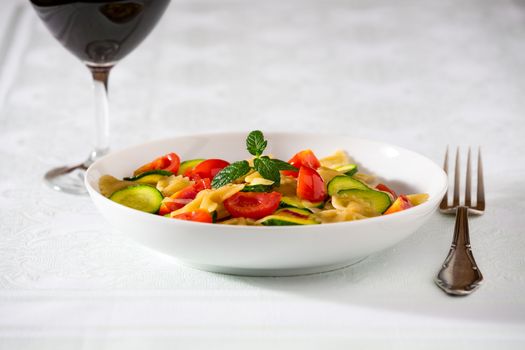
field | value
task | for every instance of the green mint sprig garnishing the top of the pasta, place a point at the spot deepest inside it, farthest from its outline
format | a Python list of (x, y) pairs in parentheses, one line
[(268, 168)]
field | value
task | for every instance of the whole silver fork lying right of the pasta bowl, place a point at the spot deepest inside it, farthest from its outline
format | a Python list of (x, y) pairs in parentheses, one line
[(459, 274)]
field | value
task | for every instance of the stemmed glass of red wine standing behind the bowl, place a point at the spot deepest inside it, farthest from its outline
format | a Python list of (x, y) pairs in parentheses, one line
[(99, 33)]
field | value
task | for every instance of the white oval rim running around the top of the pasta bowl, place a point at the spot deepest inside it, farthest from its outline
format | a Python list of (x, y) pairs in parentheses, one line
[(422, 208)]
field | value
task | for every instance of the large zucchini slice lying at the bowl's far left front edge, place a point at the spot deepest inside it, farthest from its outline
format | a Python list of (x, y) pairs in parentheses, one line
[(141, 197)]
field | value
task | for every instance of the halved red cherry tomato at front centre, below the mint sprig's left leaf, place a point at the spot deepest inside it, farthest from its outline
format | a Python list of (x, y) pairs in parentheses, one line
[(253, 205)]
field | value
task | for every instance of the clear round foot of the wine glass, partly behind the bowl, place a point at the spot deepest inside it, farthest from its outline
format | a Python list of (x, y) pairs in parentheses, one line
[(67, 179)]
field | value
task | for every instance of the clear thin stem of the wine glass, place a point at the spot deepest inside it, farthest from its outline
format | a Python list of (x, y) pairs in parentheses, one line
[(100, 84)]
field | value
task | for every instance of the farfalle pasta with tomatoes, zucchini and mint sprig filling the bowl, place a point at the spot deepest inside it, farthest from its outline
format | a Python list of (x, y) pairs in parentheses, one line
[(259, 191)]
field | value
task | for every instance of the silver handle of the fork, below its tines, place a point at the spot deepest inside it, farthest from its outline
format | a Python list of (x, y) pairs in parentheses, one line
[(459, 274)]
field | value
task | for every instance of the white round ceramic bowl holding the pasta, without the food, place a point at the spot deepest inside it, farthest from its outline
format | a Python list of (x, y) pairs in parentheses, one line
[(273, 251)]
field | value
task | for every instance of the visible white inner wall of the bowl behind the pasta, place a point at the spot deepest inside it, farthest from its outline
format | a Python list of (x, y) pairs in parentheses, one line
[(403, 170)]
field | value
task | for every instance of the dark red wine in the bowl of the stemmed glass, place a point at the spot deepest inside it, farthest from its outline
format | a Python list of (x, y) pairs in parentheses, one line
[(100, 32)]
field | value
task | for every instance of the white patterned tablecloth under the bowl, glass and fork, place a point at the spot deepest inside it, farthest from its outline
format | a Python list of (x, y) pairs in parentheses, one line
[(419, 74)]
